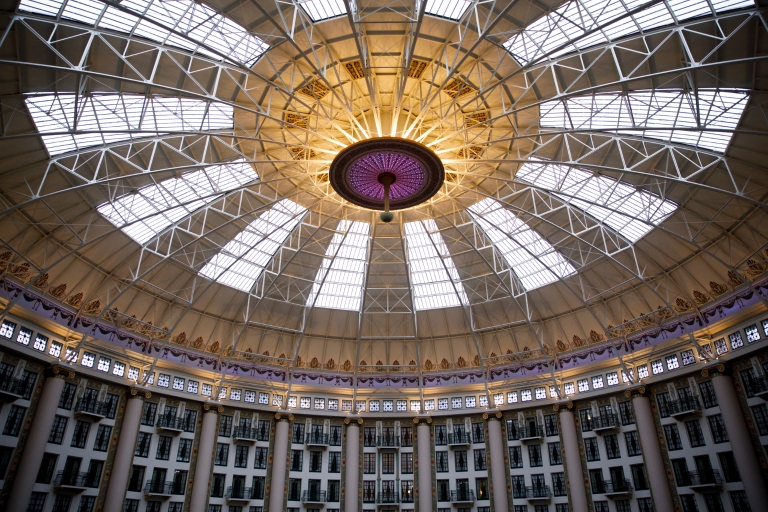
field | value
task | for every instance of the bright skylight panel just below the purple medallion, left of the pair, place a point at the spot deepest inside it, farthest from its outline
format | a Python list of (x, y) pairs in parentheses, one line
[(339, 282)]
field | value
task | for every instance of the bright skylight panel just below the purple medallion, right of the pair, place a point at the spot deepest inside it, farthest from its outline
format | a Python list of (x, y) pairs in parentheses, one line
[(434, 278)]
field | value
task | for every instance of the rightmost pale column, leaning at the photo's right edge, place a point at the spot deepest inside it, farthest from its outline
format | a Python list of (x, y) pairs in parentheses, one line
[(741, 441)]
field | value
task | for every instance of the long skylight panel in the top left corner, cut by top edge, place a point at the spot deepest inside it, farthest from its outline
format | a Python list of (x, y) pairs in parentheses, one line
[(196, 21)]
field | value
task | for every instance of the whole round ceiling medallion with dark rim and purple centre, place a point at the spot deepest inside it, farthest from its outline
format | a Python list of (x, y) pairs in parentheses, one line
[(360, 172)]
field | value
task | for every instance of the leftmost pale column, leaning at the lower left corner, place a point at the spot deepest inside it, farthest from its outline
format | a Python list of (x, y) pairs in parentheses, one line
[(37, 439)]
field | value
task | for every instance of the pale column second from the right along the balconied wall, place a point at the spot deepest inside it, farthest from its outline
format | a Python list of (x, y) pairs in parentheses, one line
[(654, 460)]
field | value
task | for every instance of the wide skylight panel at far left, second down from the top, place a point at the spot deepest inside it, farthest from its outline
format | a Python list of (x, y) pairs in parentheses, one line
[(110, 117)]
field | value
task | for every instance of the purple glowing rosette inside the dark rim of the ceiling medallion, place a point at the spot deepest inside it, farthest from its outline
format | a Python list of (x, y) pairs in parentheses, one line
[(409, 175)]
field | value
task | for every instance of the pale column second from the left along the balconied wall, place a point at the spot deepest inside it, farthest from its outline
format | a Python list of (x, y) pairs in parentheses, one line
[(121, 469)]
